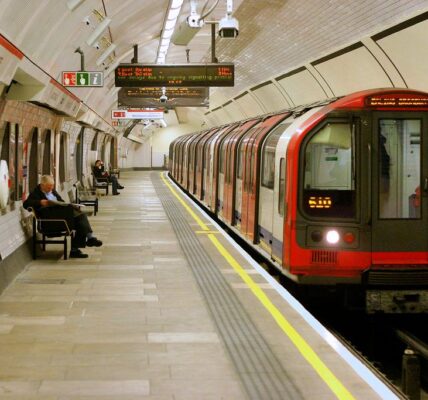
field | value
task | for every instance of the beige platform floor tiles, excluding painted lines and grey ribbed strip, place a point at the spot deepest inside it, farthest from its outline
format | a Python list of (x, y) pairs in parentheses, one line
[(131, 322)]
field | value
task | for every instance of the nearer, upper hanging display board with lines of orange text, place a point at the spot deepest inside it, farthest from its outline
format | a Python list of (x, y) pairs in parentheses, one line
[(179, 75)]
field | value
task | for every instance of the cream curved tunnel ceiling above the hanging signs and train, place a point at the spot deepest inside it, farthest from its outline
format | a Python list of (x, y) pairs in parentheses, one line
[(275, 36)]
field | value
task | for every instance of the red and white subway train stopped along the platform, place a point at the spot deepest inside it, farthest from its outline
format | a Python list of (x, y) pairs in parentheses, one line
[(334, 194)]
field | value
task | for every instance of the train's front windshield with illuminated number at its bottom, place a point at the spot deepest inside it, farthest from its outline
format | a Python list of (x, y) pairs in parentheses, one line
[(329, 187)]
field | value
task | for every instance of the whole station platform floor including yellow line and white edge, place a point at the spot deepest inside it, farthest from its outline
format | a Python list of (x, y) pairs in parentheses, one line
[(167, 309)]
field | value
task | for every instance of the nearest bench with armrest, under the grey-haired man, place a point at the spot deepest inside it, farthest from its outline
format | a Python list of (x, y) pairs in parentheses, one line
[(49, 228)]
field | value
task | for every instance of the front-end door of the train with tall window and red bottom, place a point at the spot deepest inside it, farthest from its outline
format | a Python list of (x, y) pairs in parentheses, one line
[(399, 181)]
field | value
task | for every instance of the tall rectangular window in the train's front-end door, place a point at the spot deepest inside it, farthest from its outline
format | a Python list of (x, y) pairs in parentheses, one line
[(399, 166)]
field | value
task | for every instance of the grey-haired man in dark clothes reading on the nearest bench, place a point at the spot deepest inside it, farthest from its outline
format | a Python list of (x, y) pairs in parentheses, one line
[(41, 200)]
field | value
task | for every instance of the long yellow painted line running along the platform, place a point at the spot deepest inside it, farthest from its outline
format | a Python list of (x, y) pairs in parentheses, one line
[(304, 348)]
